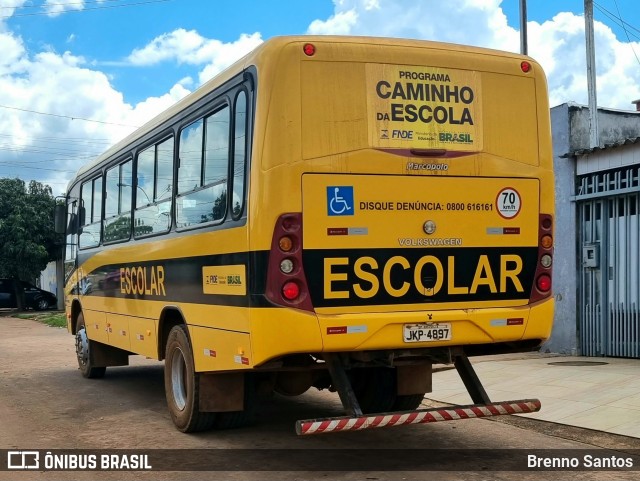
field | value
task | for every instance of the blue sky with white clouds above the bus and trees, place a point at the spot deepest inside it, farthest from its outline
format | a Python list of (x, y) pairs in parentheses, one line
[(116, 63)]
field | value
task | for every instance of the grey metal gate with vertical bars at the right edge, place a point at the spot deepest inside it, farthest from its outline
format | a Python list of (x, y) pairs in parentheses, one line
[(609, 284)]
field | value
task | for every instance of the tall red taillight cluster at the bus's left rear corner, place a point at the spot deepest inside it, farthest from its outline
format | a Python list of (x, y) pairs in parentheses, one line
[(286, 282)]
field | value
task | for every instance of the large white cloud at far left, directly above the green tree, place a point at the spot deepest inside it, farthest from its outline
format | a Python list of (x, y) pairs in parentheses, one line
[(52, 147)]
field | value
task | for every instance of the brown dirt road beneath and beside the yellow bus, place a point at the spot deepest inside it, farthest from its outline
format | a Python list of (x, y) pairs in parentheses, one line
[(45, 404)]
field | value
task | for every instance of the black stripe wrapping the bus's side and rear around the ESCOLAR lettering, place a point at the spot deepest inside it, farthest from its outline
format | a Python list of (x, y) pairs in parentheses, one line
[(345, 277)]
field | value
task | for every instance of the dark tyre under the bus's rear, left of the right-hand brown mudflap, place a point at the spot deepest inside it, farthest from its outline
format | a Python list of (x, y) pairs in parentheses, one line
[(375, 388)]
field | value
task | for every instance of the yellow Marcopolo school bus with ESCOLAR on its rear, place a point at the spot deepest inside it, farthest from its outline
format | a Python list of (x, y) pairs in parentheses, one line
[(329, 212)]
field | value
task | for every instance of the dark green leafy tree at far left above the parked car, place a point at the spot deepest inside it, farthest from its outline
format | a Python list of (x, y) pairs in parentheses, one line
[(27, 237)]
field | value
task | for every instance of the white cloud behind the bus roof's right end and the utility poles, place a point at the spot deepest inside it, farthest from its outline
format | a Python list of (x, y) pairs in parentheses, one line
[(558, 44)]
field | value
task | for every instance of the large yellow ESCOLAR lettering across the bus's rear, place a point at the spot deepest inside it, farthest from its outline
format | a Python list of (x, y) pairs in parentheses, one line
[(370, 277)]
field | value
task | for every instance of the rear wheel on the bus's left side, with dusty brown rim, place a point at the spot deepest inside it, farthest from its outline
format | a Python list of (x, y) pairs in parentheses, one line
[(182, 383)]
